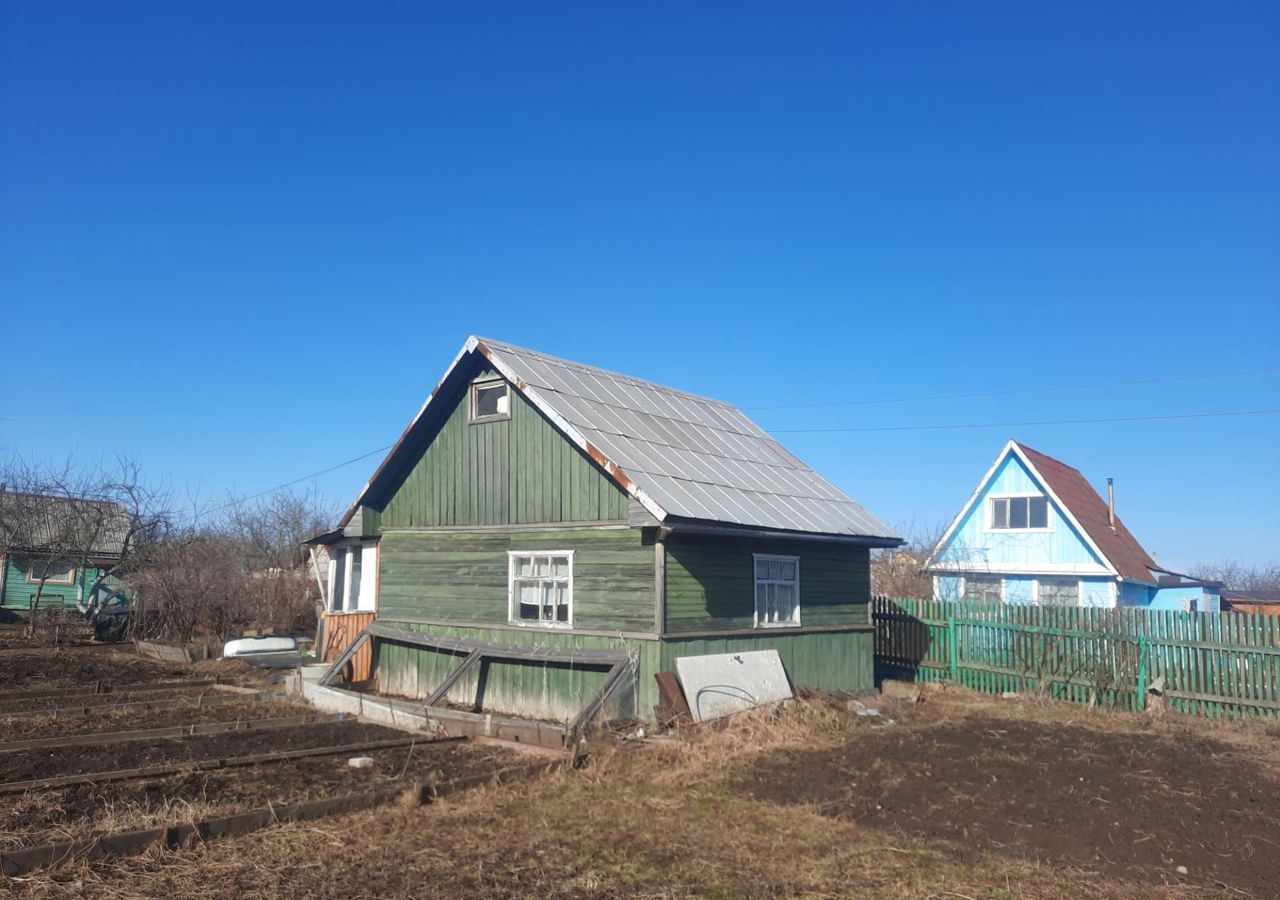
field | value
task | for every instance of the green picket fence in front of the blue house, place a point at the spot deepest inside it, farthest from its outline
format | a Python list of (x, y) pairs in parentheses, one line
[(1213, 665)]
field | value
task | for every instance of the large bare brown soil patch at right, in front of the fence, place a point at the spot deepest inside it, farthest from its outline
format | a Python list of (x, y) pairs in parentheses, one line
[(1132, 806)]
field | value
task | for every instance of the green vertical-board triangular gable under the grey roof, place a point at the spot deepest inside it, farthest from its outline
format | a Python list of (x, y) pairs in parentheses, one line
[(519, 470)]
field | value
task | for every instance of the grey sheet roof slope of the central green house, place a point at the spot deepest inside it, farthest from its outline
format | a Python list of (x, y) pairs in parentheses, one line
[(694, 456)]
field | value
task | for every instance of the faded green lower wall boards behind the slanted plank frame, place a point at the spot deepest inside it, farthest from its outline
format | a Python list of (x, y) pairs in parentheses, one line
[(532, 691)]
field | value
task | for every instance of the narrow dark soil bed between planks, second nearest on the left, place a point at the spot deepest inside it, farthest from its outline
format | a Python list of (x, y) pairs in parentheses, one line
[(49, 764)]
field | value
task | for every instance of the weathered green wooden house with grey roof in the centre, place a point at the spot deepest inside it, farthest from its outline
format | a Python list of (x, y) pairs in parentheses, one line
[(540, 502)]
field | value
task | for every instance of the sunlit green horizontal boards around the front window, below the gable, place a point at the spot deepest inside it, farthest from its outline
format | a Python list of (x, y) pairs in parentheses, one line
[(461, 577)]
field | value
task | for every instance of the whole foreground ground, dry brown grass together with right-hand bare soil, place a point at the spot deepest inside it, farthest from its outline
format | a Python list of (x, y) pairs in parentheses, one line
[(964, 797)]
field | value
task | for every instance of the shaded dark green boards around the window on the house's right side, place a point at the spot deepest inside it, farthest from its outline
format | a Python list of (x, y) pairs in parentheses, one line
[(711, 583)]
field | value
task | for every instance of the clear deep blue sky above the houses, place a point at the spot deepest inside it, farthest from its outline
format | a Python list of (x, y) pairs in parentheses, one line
[(243, 241)]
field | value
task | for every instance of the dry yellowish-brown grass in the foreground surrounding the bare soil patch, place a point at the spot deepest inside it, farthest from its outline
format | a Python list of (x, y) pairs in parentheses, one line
[(657, 820)]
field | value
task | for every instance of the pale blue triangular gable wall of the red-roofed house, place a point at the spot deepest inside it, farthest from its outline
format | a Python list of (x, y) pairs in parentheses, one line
[(973, 545)]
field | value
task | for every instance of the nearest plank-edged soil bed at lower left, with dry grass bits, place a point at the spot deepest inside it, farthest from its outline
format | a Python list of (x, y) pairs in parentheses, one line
[(81, 811)]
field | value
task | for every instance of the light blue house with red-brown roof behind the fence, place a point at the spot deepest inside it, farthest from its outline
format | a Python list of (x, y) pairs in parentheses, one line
[(1035, 532)]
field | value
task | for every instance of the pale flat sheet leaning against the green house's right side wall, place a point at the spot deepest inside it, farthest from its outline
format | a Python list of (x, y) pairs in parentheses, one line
[(721, 684)]
